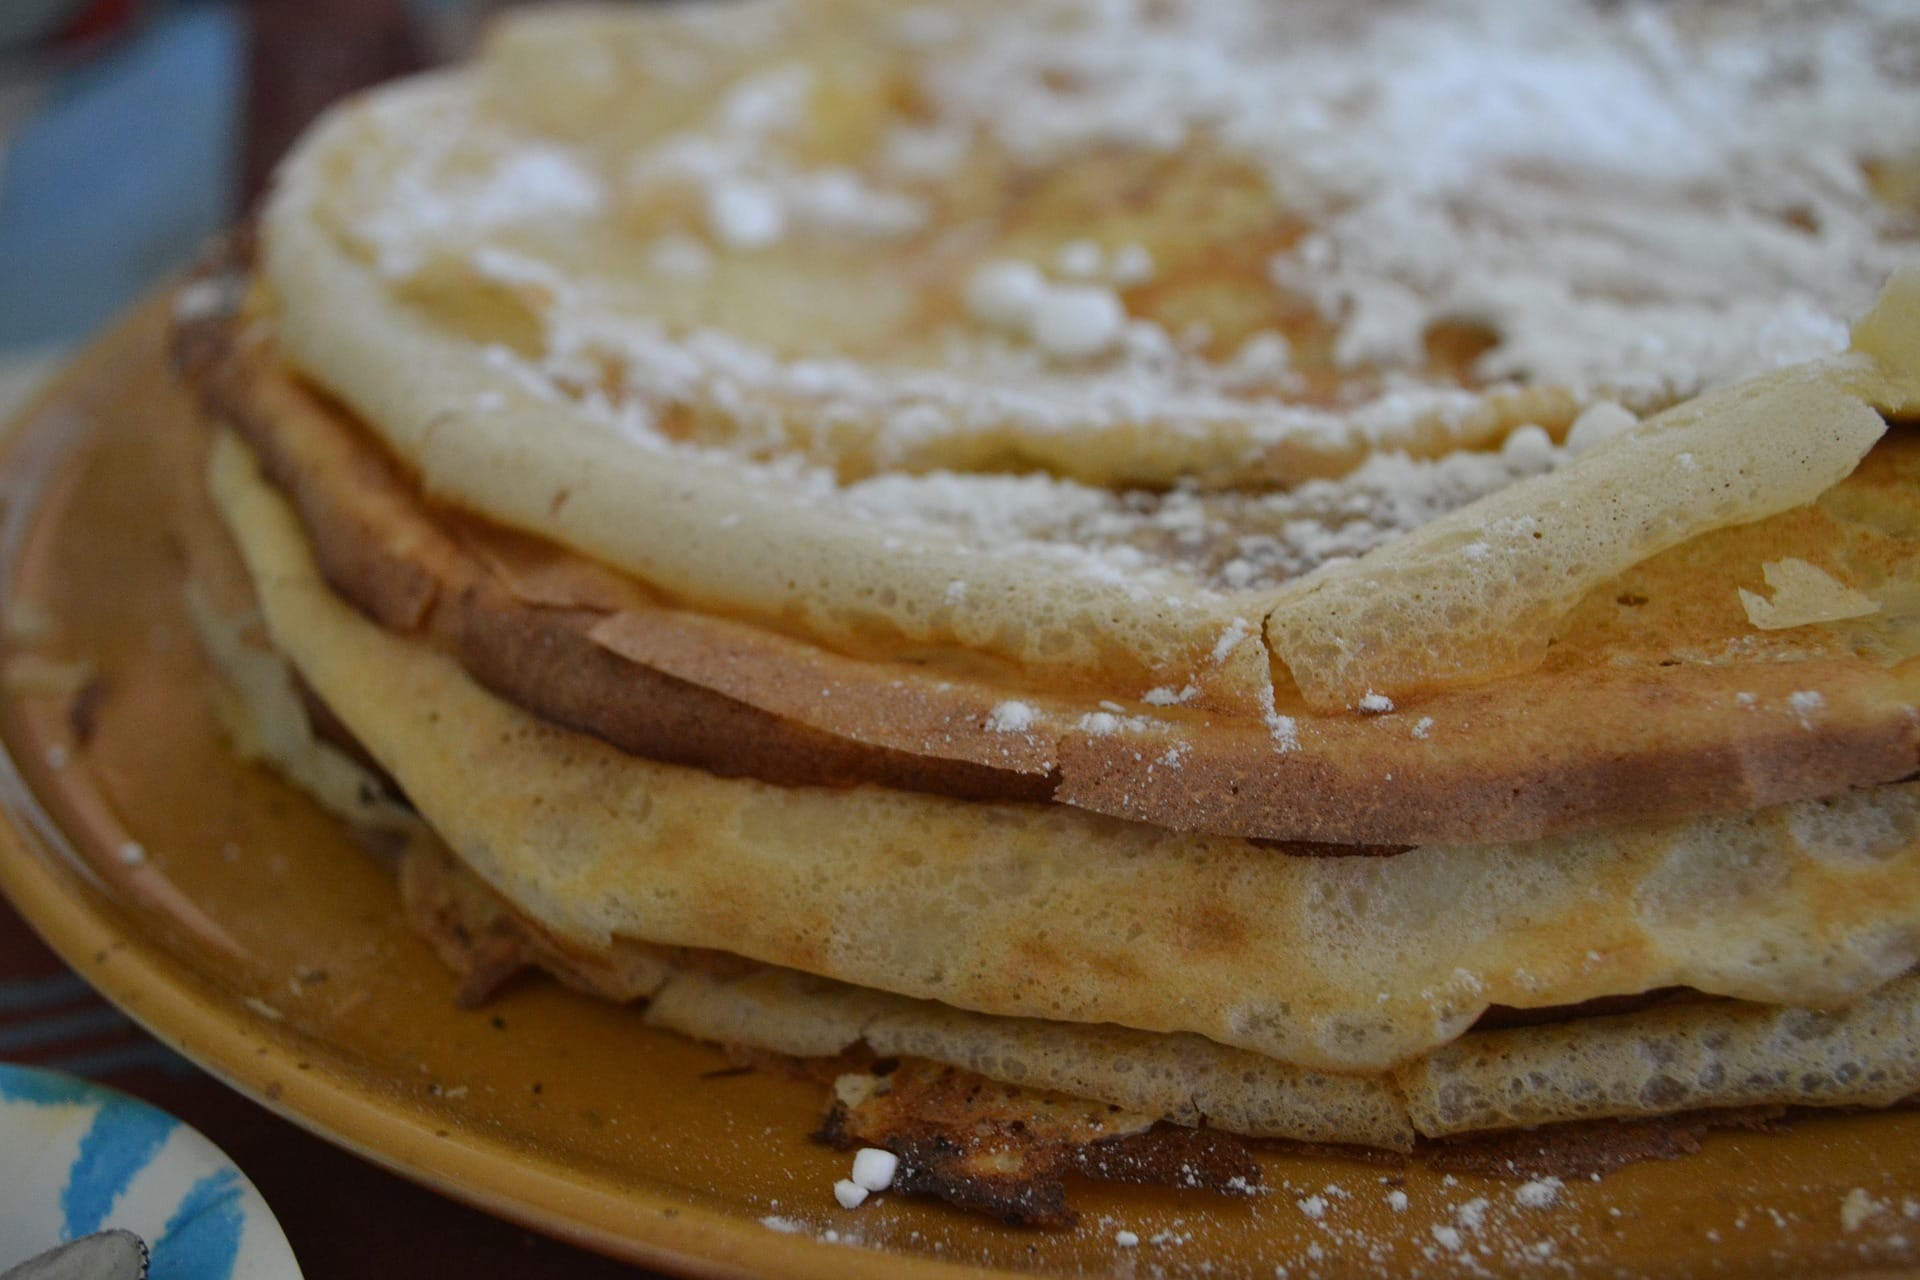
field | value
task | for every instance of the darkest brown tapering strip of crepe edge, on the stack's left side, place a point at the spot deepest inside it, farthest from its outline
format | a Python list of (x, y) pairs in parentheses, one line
[(414, 573)]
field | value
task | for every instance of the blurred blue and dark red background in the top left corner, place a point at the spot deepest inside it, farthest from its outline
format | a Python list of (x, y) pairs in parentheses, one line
[(135, 130)]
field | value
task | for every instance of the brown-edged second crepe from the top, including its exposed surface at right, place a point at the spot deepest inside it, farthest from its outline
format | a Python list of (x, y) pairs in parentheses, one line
[(1689, 709)]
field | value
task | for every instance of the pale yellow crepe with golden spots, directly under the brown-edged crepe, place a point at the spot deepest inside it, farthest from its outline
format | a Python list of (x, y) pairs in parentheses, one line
[(1349, 964)]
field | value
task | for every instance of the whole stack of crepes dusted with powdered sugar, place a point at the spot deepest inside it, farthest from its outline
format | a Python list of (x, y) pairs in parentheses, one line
[(1124, 575)]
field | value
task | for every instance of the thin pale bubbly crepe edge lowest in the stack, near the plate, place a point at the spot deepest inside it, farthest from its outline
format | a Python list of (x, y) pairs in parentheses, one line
[(1656, 1062)]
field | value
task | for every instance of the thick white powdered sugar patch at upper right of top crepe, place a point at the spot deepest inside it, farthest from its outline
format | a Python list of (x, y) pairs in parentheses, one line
[(1637, 199)]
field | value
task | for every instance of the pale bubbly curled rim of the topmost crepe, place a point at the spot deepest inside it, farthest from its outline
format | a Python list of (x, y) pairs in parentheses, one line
[(441, 360)]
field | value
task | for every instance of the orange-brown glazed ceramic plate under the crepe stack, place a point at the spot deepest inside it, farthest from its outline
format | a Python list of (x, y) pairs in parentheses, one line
[(252, 936)]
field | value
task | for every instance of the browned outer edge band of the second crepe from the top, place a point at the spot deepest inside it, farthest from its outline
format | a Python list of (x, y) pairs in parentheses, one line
[(590, 650)]
